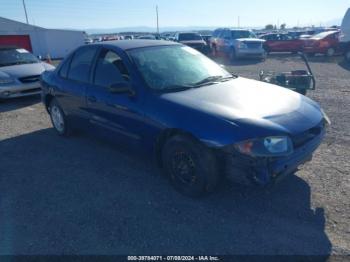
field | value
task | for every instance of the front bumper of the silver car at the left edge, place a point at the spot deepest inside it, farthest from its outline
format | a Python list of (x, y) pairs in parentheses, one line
[(20, 90)]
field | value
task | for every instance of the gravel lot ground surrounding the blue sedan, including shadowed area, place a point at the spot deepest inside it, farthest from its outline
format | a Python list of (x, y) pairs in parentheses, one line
[(83, 195)]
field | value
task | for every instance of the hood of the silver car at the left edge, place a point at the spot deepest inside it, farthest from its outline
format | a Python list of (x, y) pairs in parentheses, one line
[(24, 70)]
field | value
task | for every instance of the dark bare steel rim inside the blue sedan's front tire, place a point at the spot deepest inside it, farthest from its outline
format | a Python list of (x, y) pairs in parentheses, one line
[(183, 168)]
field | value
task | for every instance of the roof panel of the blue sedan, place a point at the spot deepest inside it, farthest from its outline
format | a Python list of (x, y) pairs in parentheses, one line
[(134, 44)]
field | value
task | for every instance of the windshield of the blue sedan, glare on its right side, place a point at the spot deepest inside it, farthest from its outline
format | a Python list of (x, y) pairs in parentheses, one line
[(173, 68)]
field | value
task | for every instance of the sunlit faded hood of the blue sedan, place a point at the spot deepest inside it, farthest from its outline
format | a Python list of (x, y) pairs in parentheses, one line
[(243, 101)]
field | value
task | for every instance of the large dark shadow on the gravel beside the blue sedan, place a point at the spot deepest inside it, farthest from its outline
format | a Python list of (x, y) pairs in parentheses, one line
[(83, 195)]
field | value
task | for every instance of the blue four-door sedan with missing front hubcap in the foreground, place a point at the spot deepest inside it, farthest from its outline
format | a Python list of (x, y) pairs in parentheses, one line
[(198, 120)]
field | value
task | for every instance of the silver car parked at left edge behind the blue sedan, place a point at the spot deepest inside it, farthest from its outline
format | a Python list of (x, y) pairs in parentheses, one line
[(19, 72)]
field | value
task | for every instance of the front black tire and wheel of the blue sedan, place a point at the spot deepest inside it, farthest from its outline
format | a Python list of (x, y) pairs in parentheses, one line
[(191, 167)]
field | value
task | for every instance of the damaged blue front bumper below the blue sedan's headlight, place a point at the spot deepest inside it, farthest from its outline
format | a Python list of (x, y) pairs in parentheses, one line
[(265, 171)]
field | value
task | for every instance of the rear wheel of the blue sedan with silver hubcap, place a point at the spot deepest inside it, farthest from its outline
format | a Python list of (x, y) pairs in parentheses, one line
[(61, 129)]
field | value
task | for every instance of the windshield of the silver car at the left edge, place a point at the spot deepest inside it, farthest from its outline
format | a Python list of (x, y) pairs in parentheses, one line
[(16, 57)]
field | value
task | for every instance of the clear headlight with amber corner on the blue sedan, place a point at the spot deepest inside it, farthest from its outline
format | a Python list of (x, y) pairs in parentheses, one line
[(266, 147)]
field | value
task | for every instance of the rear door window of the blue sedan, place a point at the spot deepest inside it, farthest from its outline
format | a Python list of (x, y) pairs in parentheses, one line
[(80, 66)]
